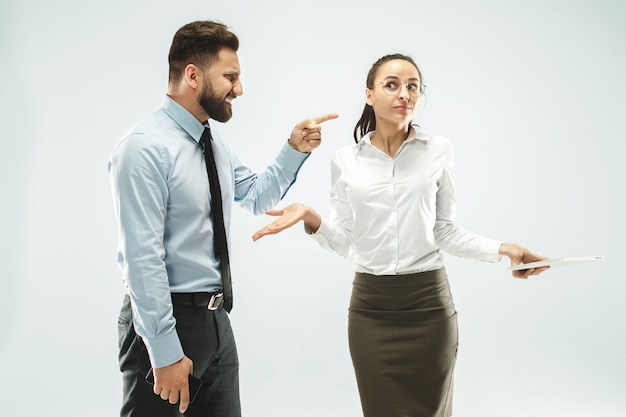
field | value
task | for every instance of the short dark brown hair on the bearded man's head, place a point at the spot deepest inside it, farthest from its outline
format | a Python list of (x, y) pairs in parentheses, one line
[(198, 43)]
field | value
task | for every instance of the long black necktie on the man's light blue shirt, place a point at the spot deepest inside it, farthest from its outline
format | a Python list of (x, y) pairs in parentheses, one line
[(217, 216)]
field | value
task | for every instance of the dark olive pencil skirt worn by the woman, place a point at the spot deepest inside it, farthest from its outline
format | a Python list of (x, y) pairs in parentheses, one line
[(402, 331)]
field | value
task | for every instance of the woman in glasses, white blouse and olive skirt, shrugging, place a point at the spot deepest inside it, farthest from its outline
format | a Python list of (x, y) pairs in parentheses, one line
[(393, 213)]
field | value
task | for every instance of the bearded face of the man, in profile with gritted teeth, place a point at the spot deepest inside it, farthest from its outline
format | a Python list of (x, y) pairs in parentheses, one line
[(221, 85)]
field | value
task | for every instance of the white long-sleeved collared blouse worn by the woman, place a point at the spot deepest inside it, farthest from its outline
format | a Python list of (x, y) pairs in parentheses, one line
[(394, 216)]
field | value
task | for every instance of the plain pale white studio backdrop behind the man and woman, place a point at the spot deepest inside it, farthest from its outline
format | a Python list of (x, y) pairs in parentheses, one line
[(530, 92)]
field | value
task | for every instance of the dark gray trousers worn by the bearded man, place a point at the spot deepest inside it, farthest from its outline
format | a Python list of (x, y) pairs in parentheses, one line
[(208, 340)]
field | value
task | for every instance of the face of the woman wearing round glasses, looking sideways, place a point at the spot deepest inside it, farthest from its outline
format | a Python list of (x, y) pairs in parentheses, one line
[(395, 94)]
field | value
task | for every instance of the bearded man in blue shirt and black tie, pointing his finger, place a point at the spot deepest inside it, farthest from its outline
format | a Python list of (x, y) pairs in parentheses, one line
[(174, 318)]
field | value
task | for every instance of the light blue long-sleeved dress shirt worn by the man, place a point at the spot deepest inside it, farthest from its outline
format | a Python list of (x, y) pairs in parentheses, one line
[(162, 205)]
